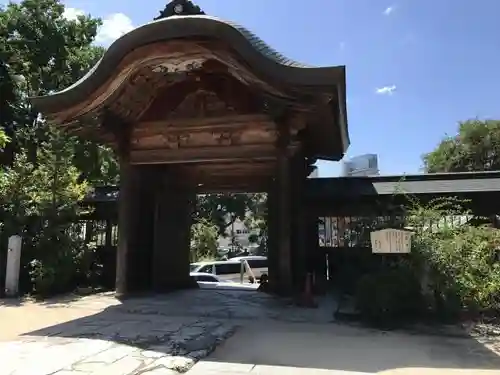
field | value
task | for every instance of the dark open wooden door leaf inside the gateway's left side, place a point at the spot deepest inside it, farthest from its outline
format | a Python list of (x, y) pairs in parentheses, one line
[(172, 232)]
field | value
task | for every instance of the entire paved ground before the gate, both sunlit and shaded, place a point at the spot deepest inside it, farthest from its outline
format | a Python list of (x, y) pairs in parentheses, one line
[(255, 334)]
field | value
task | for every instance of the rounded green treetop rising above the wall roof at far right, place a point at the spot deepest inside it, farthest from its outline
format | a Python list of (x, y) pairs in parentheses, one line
[(476, 147)]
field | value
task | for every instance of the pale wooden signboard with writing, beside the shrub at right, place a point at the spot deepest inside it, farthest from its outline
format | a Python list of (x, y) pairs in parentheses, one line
[(391, 241)]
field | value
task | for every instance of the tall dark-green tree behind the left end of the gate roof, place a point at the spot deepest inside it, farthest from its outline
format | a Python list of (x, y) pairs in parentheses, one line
[(44, 52)]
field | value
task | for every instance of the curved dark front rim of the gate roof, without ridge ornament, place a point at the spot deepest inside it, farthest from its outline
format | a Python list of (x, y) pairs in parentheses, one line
[(259, 55)]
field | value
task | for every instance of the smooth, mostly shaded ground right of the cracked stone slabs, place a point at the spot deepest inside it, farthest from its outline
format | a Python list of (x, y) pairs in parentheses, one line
[(303, 348)]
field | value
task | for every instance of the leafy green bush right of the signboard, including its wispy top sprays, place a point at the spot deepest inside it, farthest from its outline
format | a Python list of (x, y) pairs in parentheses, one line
[(462, 259)]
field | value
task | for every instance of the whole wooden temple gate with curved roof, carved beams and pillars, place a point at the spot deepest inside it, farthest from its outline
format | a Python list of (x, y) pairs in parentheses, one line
[(192, 104)]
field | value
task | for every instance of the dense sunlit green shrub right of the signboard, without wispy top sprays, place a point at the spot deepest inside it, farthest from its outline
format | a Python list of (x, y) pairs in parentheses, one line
[(463, 271)]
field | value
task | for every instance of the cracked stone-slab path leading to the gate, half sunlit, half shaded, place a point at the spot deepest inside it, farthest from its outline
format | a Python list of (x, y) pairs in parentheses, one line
[(161, 335)]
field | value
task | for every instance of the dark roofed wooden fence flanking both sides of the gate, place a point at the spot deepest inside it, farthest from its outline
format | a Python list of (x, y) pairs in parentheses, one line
[(338, 215)]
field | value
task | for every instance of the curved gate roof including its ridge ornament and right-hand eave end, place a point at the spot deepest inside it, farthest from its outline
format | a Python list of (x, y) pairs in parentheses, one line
[(289, 81)]
